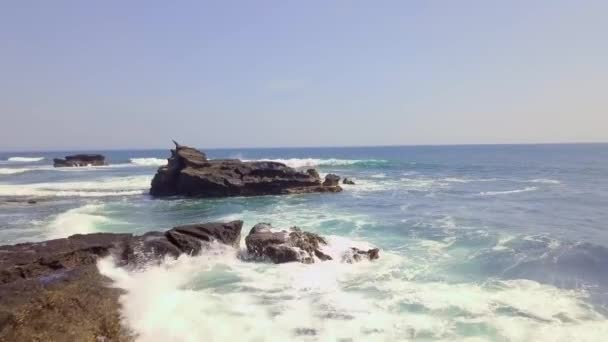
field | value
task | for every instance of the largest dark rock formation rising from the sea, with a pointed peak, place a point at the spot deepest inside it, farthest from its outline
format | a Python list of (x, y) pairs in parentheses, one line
[(190, 173)]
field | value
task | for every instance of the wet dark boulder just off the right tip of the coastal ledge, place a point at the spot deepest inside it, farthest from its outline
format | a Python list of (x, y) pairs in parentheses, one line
[(284, 246)]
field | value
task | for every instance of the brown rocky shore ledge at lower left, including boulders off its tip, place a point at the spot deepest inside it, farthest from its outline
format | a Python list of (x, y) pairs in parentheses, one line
[(53, 291)]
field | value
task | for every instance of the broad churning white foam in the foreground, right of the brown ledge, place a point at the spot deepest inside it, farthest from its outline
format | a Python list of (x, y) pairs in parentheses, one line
[(217, 297)]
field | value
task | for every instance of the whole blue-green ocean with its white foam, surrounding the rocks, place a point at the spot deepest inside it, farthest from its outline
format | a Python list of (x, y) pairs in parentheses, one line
[(492, 242)]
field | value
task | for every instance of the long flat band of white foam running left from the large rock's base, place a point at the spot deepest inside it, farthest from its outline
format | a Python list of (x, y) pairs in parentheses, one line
[(116, 186)]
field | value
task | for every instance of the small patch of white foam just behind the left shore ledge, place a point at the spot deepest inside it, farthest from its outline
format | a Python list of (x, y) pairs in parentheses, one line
[(82, 220)]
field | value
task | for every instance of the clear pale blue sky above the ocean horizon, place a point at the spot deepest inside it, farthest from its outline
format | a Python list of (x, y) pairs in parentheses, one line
[(135, 74)]
